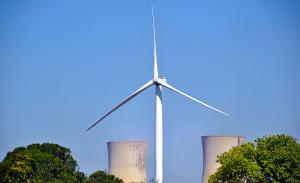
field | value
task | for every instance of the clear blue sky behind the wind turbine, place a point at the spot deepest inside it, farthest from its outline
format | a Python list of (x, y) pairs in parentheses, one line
[(65, 63)]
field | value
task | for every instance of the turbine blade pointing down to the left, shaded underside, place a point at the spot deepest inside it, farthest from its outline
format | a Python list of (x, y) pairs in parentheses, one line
[(140, 90)]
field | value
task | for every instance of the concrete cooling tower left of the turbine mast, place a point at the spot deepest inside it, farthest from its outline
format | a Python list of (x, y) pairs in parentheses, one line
[(128, 160)]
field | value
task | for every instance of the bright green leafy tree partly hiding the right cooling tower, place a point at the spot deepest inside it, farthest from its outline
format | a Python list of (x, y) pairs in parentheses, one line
[(274, 158)]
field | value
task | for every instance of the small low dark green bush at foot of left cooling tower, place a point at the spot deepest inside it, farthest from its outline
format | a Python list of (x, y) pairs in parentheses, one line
[(101, 176)]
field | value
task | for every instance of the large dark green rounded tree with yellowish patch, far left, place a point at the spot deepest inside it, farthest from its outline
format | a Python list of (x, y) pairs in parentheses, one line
[(40, 163)]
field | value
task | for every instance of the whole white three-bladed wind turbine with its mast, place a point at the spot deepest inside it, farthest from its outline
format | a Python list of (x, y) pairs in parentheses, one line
[(158, 82)]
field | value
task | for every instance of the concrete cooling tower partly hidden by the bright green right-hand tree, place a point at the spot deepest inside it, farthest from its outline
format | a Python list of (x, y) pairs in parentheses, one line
[(212, 147)]
